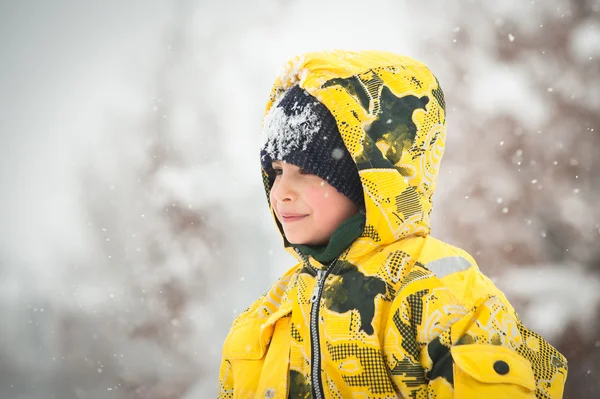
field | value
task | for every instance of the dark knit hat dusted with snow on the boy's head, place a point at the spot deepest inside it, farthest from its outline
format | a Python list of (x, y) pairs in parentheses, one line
[(301, 131)]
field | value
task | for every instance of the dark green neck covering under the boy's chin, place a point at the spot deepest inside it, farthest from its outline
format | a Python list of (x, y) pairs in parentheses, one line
[(341, 239)]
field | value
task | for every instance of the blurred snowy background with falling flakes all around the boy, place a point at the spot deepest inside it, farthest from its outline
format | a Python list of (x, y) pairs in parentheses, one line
[(133, 223)]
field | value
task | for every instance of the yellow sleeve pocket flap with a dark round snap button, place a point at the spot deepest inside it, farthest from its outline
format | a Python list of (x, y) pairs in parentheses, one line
[(490, 371)]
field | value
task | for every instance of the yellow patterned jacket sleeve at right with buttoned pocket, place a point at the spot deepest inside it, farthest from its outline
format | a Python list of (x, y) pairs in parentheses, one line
[(437, 348)]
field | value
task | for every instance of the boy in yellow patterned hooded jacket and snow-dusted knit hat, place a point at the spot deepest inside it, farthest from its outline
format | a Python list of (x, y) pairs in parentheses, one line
[(376, 307)]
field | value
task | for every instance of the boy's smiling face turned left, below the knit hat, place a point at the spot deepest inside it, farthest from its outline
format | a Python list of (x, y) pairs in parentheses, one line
[(308, 208)]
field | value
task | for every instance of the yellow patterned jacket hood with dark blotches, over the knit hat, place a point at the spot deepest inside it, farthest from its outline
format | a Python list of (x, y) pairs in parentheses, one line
[(390, 112)]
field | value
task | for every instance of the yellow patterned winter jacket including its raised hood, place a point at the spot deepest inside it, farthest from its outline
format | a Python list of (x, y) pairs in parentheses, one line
[(401, 312)]
